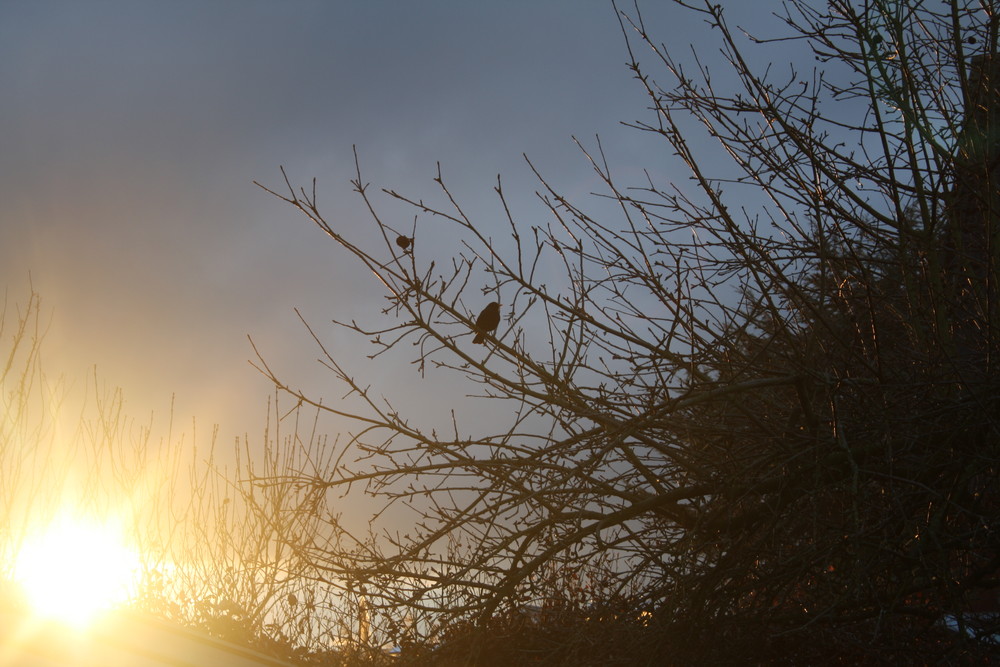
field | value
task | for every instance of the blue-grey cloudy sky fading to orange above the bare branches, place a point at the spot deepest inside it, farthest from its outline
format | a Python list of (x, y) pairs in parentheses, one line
[(131, 133)]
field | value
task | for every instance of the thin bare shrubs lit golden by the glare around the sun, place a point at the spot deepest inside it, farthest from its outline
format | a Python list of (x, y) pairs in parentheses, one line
[(213, 547)]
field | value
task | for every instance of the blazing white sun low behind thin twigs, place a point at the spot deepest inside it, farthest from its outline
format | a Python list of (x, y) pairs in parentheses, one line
[(75, 568)]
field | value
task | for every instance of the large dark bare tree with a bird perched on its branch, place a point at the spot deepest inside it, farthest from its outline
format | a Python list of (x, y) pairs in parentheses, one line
[(761, 404)]
